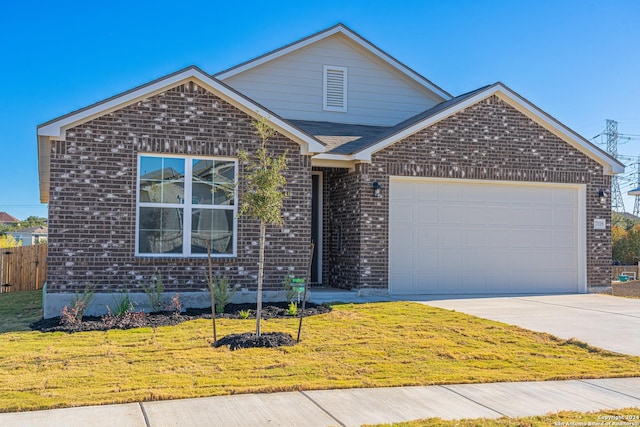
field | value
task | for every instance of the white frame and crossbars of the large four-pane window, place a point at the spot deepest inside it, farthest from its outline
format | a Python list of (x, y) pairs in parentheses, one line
[(187, 207)]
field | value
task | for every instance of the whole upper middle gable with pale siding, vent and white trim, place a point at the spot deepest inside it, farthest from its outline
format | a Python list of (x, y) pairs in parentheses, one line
[(373, 88)]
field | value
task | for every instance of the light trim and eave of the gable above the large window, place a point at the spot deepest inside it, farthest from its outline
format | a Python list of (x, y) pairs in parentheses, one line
[(56, 129)]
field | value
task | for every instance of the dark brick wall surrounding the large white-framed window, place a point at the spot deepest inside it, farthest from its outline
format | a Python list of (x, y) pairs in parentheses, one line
[(93, 190)]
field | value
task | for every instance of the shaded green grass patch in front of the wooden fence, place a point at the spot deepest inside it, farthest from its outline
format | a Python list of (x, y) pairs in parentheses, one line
[(19, 309)]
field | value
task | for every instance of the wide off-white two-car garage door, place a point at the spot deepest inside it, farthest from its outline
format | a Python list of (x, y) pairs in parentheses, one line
[(470, 237)]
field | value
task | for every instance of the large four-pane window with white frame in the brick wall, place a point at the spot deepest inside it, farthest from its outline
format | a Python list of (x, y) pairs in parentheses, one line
[(182, 203)]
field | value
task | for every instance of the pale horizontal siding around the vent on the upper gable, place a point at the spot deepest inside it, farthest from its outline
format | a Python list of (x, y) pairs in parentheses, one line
[(292, 86)]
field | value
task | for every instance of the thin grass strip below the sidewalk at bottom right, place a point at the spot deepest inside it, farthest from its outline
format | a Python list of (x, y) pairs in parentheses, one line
[(627, 417)]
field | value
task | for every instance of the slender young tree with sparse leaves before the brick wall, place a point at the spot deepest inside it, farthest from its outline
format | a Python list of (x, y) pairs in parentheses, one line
[(263, 194)]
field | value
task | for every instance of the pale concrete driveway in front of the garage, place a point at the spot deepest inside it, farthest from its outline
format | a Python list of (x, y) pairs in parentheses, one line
[(611, 323)]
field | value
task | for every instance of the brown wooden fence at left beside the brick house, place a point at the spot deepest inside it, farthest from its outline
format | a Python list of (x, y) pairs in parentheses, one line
[(23, 268)]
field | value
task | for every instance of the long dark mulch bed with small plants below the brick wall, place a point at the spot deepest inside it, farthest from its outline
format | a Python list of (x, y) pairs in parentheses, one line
[(138, 320)]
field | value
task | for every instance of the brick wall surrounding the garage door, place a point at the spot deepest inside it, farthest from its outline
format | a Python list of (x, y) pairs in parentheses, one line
[(489, 140)]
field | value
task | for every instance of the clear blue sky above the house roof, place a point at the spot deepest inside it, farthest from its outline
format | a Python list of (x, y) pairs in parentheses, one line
[(577, 60)]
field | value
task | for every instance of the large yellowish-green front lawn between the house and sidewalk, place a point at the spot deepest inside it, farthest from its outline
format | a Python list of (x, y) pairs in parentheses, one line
[(368, 345)]
